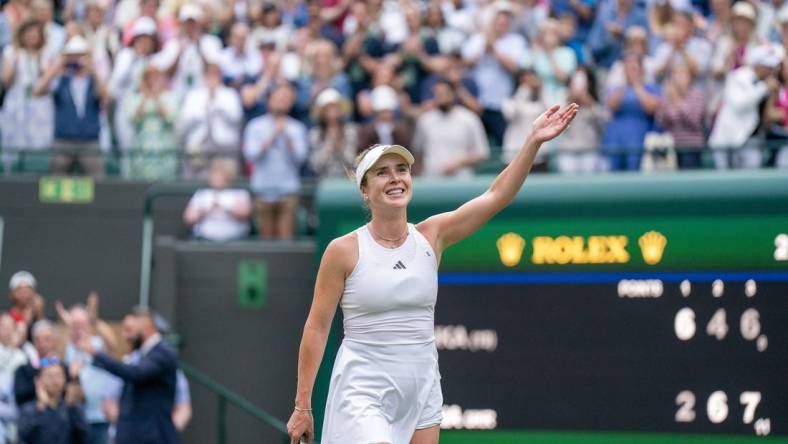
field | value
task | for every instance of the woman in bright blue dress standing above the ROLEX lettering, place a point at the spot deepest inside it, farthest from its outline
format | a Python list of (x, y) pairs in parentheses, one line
[(632, 108)]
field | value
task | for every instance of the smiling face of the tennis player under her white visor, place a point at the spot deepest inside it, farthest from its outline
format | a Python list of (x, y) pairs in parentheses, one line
[(388, 184)]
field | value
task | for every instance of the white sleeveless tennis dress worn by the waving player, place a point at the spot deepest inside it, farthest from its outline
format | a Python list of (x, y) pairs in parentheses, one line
[(385, 383)]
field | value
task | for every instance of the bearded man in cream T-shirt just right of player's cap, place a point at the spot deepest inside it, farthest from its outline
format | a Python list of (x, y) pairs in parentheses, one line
[(449, 138)]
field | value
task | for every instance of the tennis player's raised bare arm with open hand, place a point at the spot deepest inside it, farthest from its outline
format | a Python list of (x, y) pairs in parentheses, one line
[(449, 228)]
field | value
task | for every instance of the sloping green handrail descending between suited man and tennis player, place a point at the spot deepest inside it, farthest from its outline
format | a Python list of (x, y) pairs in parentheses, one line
[(226, 396)]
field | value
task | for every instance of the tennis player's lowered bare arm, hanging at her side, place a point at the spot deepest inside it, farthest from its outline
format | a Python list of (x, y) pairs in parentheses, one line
[(337, 263)]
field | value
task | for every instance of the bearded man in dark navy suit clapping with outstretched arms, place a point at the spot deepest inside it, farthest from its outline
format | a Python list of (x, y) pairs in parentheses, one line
[(146, 404)]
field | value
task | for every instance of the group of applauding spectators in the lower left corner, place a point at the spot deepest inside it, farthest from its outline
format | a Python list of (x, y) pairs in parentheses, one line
[(61, 382)]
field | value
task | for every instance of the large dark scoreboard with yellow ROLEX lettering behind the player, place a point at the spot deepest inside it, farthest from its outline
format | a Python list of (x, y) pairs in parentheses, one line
[(615, 306)]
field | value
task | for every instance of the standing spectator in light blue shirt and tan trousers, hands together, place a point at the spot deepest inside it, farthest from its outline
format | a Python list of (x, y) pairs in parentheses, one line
[(277, 146)]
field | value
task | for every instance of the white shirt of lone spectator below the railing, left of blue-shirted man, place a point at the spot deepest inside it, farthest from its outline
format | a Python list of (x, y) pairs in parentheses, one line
[(219, 224)]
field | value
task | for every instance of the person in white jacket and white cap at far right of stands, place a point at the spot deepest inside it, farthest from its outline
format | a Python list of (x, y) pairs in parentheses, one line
[(735, 136)]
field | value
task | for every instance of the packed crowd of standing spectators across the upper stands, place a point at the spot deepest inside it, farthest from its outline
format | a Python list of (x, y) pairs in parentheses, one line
[(295, 88)]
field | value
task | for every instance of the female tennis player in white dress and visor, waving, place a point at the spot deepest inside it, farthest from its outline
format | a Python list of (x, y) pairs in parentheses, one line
[(385, 385)]
